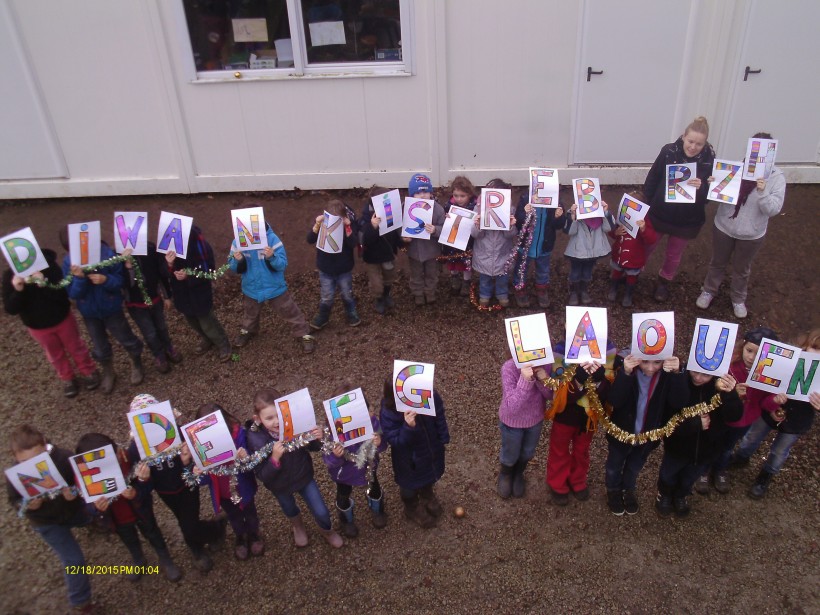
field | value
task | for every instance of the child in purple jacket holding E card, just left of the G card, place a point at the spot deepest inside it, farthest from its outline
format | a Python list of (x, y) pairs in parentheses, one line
[(346, 474)]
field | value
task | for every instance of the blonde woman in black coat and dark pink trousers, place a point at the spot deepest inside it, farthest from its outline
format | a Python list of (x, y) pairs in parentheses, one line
[(680, 221)]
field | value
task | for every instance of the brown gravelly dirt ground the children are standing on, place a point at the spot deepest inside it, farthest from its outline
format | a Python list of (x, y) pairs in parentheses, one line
[(731, 555)]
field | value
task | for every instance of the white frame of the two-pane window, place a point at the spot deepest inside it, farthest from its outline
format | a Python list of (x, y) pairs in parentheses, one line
[(301, 69)]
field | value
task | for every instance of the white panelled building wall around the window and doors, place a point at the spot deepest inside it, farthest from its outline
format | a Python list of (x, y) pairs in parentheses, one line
[(493, 91)]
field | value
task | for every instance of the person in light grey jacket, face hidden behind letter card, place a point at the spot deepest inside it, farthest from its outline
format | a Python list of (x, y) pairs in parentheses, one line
[(739, 233)]
